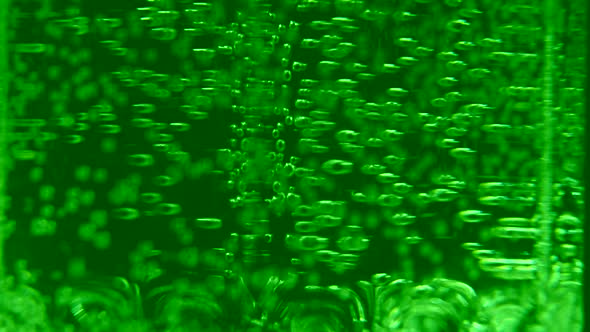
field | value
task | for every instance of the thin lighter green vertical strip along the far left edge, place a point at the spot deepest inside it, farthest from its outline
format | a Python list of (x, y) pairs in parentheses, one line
[(4, 135)]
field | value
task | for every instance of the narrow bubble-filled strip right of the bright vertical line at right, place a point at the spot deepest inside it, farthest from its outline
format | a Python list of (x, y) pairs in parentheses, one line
[(568, 147)]
